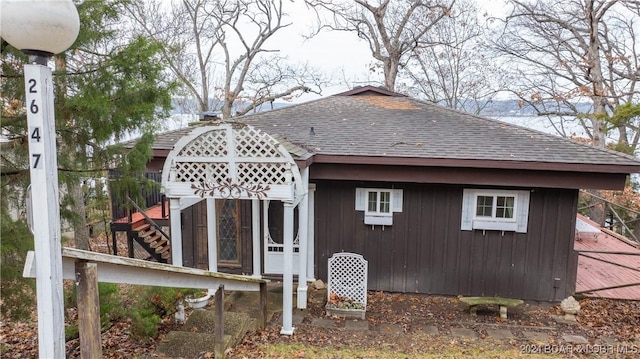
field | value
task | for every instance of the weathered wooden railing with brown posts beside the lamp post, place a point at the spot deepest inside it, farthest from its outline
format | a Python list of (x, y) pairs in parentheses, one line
[(88, 268)]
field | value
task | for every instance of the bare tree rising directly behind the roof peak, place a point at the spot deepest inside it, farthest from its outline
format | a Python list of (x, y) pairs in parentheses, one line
[(393, 29)]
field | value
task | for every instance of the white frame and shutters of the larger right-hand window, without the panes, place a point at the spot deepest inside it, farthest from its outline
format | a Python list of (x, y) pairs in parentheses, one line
[(517, 224)]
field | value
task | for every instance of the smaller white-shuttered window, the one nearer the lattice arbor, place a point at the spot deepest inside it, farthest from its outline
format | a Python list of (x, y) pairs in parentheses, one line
[(378, 204)]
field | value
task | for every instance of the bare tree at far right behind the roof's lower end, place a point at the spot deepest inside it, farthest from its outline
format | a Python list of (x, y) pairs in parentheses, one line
[(567, 52)]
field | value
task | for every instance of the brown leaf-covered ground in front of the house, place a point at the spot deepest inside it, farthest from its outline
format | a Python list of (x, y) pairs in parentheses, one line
[(394, 321)]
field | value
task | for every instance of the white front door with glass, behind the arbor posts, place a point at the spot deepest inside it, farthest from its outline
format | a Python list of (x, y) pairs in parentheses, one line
[(273, 239)]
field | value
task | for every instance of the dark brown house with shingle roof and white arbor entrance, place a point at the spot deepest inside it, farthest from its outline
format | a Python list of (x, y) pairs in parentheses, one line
[(437, 201)]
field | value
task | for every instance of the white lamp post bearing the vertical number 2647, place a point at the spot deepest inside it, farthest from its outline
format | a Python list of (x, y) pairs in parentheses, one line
[(45, 209)]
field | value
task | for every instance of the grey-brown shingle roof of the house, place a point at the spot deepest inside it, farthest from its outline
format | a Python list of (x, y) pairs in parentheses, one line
[(369, 124)]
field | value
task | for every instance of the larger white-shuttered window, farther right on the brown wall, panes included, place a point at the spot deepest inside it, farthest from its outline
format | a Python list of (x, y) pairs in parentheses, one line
[(501, 210)]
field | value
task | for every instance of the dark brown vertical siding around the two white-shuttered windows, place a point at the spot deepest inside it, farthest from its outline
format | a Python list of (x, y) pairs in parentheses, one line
[(425, 251)]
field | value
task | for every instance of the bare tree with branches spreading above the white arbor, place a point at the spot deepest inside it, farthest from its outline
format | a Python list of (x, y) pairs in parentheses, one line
[(212, 48)]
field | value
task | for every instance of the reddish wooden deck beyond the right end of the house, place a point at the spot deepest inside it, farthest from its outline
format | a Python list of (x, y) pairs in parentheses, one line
[(595, 274)]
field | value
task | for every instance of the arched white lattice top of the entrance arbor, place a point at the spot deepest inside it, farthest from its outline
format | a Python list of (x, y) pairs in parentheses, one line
[(231, 160)]
